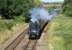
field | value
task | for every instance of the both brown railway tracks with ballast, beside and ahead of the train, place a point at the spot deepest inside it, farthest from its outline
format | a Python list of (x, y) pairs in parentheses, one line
[(22, 43)]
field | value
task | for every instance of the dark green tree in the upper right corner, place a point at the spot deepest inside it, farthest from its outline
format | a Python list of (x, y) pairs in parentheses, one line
[(67, 7)]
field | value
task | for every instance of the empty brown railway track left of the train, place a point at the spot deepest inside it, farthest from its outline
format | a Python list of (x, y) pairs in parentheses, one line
[(16, 41)]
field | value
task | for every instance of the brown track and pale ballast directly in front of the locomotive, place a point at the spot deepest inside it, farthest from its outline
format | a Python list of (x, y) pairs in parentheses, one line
[(26, 44)]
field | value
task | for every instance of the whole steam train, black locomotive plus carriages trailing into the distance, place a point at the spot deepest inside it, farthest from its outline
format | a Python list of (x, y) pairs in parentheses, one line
[(36, 28)]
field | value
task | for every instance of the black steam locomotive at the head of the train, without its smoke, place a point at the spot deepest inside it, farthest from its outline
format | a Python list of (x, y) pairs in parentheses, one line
[(36, 28)]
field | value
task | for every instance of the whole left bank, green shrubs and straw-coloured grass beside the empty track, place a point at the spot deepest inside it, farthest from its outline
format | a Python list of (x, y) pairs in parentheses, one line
[(8, 28)]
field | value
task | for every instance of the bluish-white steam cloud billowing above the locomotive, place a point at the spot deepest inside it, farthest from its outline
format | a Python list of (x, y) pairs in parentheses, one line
[(41, 13)]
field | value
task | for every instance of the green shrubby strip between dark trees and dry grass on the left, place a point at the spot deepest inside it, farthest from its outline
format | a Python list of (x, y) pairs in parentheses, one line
[(7, 24)]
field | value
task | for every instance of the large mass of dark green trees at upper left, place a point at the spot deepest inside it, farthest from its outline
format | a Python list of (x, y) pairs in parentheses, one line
[(11, 8)]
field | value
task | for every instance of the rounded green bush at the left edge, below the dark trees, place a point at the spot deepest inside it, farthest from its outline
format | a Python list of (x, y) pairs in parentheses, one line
[(5, 25)]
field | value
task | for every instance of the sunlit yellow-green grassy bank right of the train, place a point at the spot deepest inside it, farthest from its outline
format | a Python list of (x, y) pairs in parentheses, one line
[(60, 33)]
